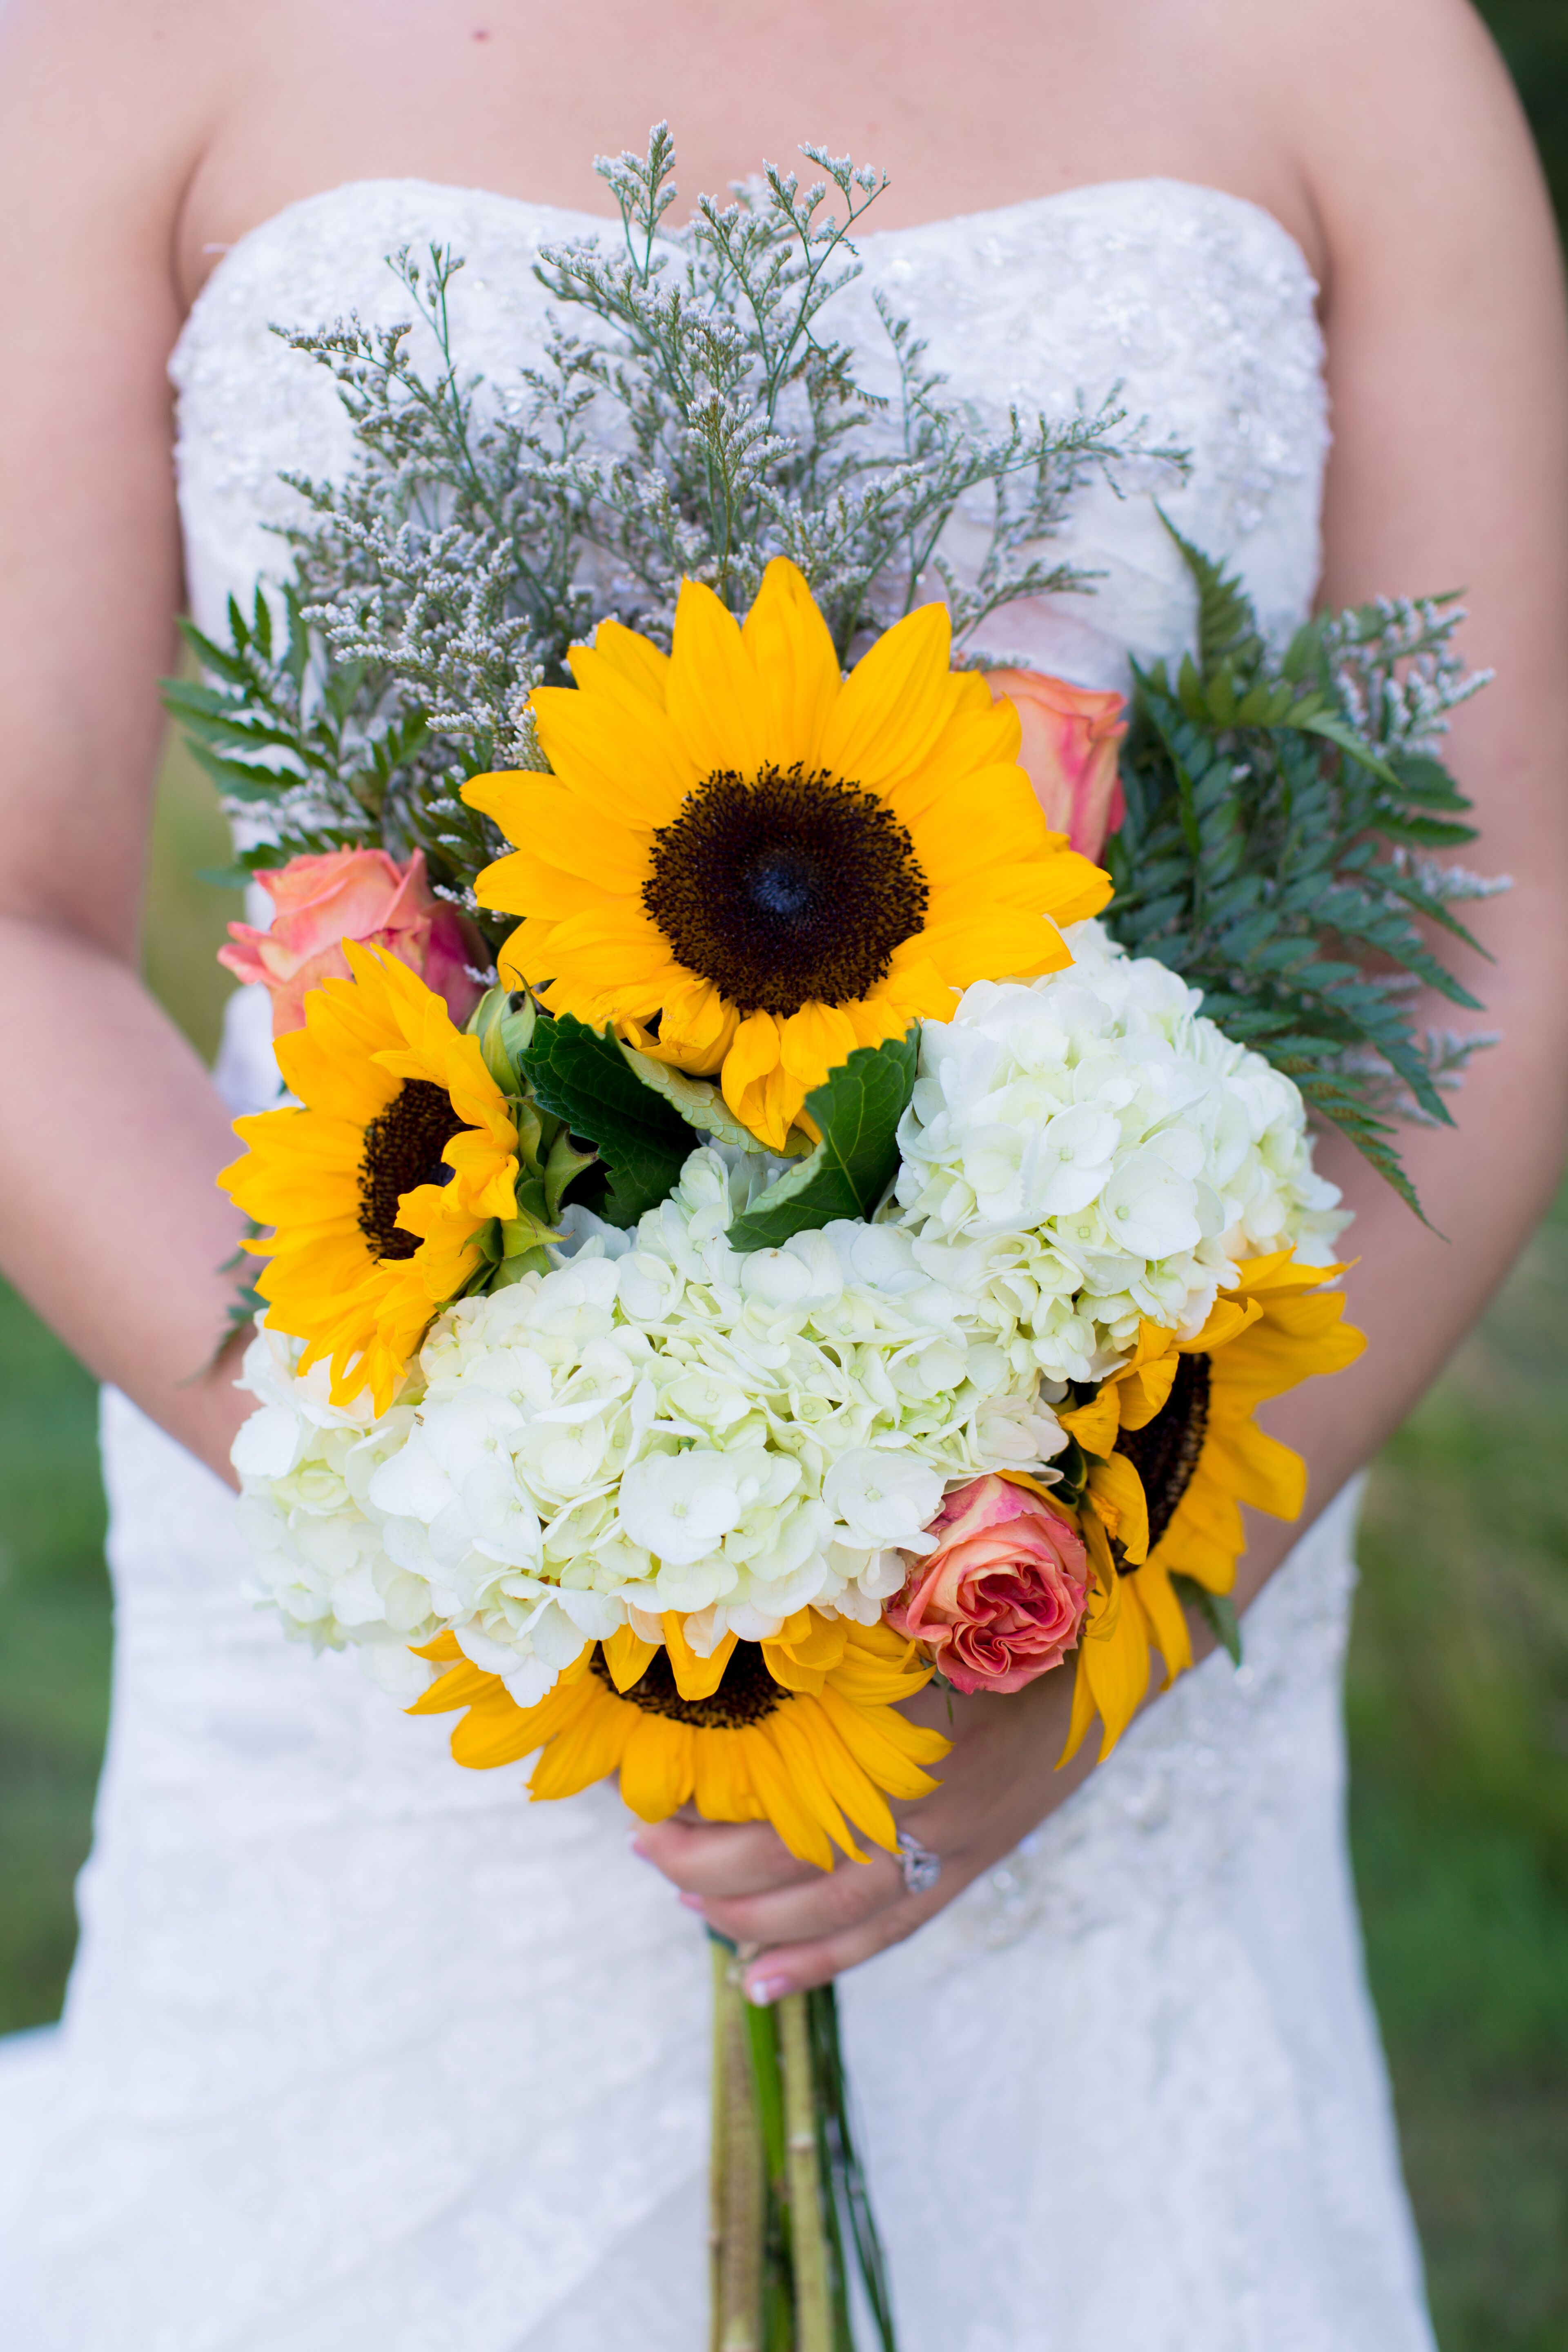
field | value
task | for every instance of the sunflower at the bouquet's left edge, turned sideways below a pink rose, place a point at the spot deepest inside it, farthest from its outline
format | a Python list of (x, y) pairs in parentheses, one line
[(382, 1182)]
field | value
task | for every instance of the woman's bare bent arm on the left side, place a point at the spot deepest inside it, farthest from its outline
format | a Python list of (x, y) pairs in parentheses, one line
[(109, 1125)]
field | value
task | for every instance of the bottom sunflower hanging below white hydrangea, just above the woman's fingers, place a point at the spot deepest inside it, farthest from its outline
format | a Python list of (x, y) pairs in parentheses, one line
[(800, 1730)]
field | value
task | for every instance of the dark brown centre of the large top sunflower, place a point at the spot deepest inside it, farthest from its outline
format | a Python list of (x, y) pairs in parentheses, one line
[(786, 890)]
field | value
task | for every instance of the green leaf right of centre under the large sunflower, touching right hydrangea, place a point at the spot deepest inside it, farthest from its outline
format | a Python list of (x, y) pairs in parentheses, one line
[(857, 1111)]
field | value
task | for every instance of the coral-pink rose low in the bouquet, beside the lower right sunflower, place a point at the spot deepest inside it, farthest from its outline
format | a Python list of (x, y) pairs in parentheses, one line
[(1003, 1596)]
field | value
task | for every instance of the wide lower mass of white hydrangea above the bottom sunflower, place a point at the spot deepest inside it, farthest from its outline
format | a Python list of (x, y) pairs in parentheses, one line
[(657, 1424)]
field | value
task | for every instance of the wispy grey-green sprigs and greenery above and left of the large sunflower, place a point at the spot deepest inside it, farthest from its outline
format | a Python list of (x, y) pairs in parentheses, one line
[(688, 420)]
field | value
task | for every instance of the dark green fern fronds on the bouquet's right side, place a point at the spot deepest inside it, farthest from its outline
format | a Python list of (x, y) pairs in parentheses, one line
[(1280, 820)]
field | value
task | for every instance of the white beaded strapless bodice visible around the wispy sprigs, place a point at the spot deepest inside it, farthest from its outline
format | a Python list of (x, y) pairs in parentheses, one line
[(1195, 302)]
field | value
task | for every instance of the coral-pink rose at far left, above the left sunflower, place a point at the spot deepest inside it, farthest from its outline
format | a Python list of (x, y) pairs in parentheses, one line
[(354, 895)]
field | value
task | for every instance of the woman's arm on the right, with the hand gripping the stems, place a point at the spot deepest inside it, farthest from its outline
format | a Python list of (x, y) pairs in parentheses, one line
[(1449, 385)]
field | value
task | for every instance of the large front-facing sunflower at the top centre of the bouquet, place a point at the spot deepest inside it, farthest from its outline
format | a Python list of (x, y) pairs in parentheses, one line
[(751, 864)]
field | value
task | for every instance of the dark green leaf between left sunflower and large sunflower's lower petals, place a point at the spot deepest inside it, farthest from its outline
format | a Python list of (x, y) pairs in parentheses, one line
[(584, 1081)]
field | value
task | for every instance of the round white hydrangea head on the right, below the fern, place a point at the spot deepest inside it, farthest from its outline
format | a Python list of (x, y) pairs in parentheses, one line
[(1087, 1151)]
